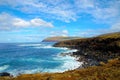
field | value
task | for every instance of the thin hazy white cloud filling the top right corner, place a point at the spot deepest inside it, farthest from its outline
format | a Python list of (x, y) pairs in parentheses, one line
[(101, 11)]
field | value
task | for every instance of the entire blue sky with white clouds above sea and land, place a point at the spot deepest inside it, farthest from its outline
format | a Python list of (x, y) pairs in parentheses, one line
[(34, 20)]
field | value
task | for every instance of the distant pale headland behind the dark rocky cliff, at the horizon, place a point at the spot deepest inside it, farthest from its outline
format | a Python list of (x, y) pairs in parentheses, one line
[(58, 39)]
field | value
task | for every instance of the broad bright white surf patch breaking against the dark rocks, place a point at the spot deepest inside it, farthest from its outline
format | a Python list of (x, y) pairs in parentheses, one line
[(69, 63)]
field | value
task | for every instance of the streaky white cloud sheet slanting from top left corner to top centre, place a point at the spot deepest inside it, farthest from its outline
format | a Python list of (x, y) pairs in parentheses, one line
[(55, 9)]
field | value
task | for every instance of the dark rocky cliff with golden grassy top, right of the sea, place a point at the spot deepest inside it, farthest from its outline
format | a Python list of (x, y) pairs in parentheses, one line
[(100, 48)]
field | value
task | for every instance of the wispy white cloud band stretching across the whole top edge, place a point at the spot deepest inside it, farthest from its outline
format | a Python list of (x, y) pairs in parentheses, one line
[(68, 10)]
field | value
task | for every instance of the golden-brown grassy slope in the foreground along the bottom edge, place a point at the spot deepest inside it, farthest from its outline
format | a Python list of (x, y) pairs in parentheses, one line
[(109, 71)]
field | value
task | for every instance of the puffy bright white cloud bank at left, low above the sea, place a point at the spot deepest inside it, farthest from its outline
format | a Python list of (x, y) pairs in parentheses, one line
[(8, 22)]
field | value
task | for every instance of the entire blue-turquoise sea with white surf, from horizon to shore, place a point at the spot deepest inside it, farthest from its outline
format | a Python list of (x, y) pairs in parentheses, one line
[(25, 58)]
